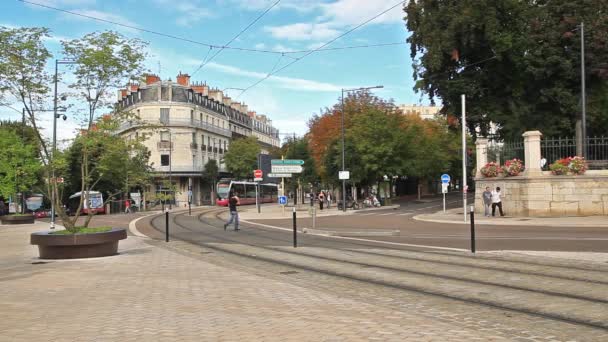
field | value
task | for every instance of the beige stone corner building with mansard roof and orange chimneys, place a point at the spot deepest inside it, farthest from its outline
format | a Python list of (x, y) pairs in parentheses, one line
[(186, 125)]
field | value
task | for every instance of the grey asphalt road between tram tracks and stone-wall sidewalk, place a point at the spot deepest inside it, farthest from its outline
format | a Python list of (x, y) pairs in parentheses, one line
[(489, 237)]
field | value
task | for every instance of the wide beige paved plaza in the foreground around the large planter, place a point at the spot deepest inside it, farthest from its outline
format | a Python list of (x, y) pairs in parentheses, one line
[(154, 291)]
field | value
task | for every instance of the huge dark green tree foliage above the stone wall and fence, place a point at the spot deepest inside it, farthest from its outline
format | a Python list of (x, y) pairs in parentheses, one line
[(518, 62)]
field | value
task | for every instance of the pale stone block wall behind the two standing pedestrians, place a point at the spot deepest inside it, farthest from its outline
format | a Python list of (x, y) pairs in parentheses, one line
[(549, 195)]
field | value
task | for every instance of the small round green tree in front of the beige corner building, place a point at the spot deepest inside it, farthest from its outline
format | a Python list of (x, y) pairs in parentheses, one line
[(242, 157)]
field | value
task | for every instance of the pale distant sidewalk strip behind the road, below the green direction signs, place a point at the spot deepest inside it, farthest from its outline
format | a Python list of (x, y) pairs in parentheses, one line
[(275, 211)]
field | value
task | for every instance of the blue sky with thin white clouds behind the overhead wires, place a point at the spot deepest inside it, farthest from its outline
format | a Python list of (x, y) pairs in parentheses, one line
[(289, 97)]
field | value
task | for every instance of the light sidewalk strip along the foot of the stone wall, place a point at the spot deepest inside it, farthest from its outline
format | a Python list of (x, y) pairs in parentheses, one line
[(455, 216)]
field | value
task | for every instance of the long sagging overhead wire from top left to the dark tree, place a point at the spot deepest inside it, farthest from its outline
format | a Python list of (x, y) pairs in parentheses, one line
[(209, 45)]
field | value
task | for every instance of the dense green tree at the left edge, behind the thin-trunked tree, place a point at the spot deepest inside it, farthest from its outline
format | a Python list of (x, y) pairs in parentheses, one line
[(19, 164)]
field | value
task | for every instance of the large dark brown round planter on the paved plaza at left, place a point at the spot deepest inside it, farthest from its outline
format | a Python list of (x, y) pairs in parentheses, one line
[(72, 246)]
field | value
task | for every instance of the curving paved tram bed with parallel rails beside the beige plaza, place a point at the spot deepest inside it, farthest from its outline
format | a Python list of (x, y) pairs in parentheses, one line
[(518, 298)]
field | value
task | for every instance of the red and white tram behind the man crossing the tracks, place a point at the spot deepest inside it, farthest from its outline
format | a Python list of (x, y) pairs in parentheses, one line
[(245, 191)]
